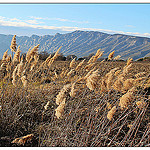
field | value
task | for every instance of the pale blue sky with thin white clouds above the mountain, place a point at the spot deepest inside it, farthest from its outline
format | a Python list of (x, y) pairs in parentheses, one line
[(41, 19)]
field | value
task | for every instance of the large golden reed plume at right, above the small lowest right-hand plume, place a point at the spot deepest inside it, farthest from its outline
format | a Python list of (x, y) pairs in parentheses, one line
[(127, 98)]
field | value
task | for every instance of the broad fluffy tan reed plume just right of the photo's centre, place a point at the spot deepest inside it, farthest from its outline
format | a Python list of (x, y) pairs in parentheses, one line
[(92, 80)]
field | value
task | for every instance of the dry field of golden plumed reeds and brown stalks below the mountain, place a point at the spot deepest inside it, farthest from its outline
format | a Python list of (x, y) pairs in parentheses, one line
[(73, 103)]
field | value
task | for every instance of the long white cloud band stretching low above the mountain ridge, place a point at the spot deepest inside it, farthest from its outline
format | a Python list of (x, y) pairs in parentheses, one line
[(35, 24)]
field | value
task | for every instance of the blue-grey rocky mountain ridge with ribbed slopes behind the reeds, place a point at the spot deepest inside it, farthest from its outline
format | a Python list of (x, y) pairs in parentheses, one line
[(83, 43)]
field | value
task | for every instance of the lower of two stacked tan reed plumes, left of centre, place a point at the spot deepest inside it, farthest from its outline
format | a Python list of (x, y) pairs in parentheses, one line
[(60, 109)]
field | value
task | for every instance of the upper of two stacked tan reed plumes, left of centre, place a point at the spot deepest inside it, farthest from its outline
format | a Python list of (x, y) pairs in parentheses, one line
[(62, 94)]
